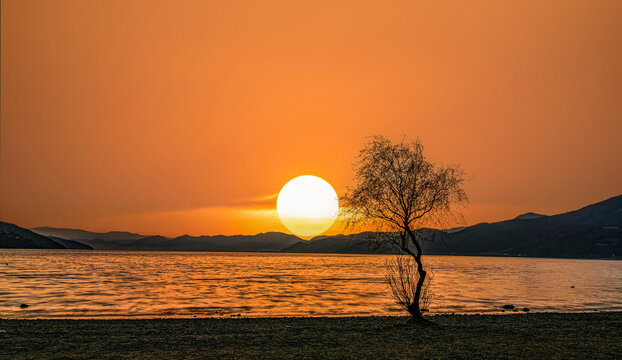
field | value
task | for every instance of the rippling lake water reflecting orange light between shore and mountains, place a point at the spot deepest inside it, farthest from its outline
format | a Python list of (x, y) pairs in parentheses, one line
[(73, 283)]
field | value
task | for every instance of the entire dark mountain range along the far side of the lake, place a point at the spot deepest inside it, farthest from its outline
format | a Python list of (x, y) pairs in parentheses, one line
[(594, 231)]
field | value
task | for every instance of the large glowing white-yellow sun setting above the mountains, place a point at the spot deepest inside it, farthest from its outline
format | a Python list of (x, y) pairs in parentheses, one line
[(307, 205)]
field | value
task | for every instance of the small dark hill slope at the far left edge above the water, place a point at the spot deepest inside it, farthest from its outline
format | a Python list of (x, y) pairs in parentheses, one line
[(15, 237)]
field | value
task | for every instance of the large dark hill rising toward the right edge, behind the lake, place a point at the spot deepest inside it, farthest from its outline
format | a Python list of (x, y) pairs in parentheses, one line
[(594, 231)]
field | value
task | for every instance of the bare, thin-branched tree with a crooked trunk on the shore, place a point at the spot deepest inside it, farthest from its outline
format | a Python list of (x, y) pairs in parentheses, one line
[(397, 192)]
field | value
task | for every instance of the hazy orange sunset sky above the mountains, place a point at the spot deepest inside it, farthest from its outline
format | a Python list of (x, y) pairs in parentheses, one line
[(176, 117)]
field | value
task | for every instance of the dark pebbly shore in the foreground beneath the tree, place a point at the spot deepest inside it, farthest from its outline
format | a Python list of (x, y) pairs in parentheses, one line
[(551, 336)]
